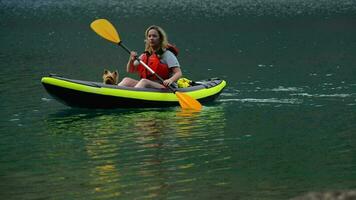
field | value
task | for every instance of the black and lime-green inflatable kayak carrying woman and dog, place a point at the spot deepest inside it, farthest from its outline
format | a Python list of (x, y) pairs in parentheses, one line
[(88, 94)]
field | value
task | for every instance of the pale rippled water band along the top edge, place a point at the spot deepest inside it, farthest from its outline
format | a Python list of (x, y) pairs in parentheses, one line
[(195, 8)]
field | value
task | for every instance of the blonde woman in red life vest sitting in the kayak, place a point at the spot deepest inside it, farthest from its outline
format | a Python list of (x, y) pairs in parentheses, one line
[(158, 58)]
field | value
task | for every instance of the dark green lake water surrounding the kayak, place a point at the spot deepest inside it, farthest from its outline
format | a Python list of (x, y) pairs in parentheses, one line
[(285, 125)]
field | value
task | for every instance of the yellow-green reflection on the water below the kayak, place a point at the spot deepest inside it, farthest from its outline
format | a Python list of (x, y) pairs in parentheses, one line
[(145, 153)]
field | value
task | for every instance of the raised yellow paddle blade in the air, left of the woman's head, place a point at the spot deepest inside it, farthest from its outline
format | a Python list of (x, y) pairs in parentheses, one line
[(106, 30)]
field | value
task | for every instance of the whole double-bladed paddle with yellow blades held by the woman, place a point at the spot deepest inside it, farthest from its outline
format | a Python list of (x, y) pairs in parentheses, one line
[(106, 30)]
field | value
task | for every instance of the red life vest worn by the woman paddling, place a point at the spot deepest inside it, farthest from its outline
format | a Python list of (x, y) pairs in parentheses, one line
[(153, 61)]
